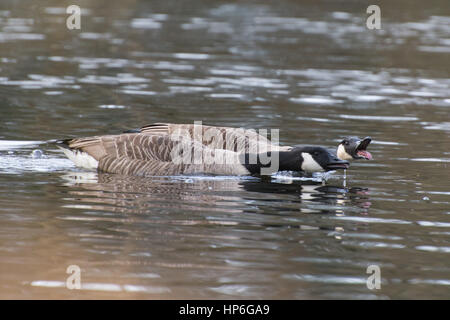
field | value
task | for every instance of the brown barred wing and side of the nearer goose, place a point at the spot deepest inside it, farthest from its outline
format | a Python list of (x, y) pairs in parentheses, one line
[(147, 155)]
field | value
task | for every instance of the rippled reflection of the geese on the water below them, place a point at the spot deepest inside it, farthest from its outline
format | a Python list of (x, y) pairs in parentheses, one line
[(113, 192)]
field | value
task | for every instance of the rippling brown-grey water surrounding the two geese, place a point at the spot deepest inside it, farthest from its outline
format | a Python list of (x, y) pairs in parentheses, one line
[(311, 69)]
